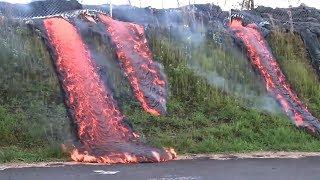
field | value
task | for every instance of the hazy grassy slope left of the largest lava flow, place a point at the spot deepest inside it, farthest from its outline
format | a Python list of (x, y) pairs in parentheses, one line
[(32, 116)]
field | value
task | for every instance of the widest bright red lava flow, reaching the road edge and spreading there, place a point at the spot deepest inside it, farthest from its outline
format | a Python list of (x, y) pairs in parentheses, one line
[(103, 135)]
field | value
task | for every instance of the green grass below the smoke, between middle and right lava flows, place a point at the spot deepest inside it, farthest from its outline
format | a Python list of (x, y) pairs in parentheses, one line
[(204, 119)]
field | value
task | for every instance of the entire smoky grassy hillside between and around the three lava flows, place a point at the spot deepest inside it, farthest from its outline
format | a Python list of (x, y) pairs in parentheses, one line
[(217, 100)]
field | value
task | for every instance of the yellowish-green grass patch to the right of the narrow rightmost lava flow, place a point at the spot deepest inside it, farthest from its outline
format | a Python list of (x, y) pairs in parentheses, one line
[(294, 62)]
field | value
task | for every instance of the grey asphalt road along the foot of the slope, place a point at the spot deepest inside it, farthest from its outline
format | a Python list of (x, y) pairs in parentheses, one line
[(201, 169)]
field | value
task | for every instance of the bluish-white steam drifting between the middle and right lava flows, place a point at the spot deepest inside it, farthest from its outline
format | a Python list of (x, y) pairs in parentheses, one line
[(189, 27)]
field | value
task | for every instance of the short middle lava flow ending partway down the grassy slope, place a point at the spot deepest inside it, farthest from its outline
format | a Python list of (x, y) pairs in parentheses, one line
[(147, 82)]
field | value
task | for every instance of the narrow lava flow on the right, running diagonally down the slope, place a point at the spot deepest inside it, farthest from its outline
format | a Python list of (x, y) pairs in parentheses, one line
[(275, 81)]
